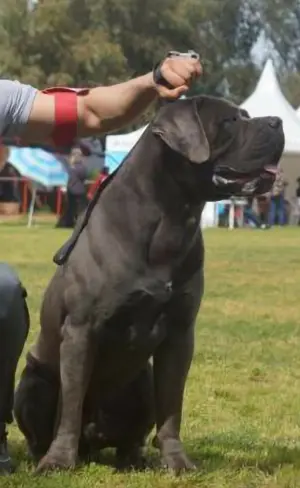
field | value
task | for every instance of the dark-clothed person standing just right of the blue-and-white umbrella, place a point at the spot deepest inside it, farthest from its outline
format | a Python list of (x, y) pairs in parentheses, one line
[(76, 191)]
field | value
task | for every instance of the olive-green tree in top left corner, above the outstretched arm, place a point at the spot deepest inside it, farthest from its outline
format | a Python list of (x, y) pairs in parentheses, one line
[(57, 43)]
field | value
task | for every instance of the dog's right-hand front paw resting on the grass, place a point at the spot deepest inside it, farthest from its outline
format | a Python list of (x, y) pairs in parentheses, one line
[(174, 457)]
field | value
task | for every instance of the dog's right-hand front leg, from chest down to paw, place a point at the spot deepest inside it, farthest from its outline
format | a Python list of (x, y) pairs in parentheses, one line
[(171, 365)]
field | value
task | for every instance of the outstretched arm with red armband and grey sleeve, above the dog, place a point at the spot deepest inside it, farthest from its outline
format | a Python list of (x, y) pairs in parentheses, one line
[(58, 116)]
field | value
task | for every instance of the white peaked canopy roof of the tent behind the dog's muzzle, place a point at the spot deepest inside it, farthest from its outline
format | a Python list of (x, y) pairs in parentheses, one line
[(268, 99)]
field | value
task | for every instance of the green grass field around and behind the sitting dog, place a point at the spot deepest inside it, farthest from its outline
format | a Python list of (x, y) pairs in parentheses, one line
[(242, 405)]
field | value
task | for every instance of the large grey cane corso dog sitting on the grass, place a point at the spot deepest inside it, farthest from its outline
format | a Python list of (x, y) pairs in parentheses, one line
[(131, 280)]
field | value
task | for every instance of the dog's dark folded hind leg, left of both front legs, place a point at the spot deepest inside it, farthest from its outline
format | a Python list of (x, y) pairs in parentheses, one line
[(35, 406)]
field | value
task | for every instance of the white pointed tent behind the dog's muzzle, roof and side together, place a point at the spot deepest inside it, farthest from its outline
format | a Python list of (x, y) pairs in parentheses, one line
[(268, 99)]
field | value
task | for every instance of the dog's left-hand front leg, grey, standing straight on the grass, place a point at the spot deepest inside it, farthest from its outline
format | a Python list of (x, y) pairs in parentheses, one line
[(76, 358)]
